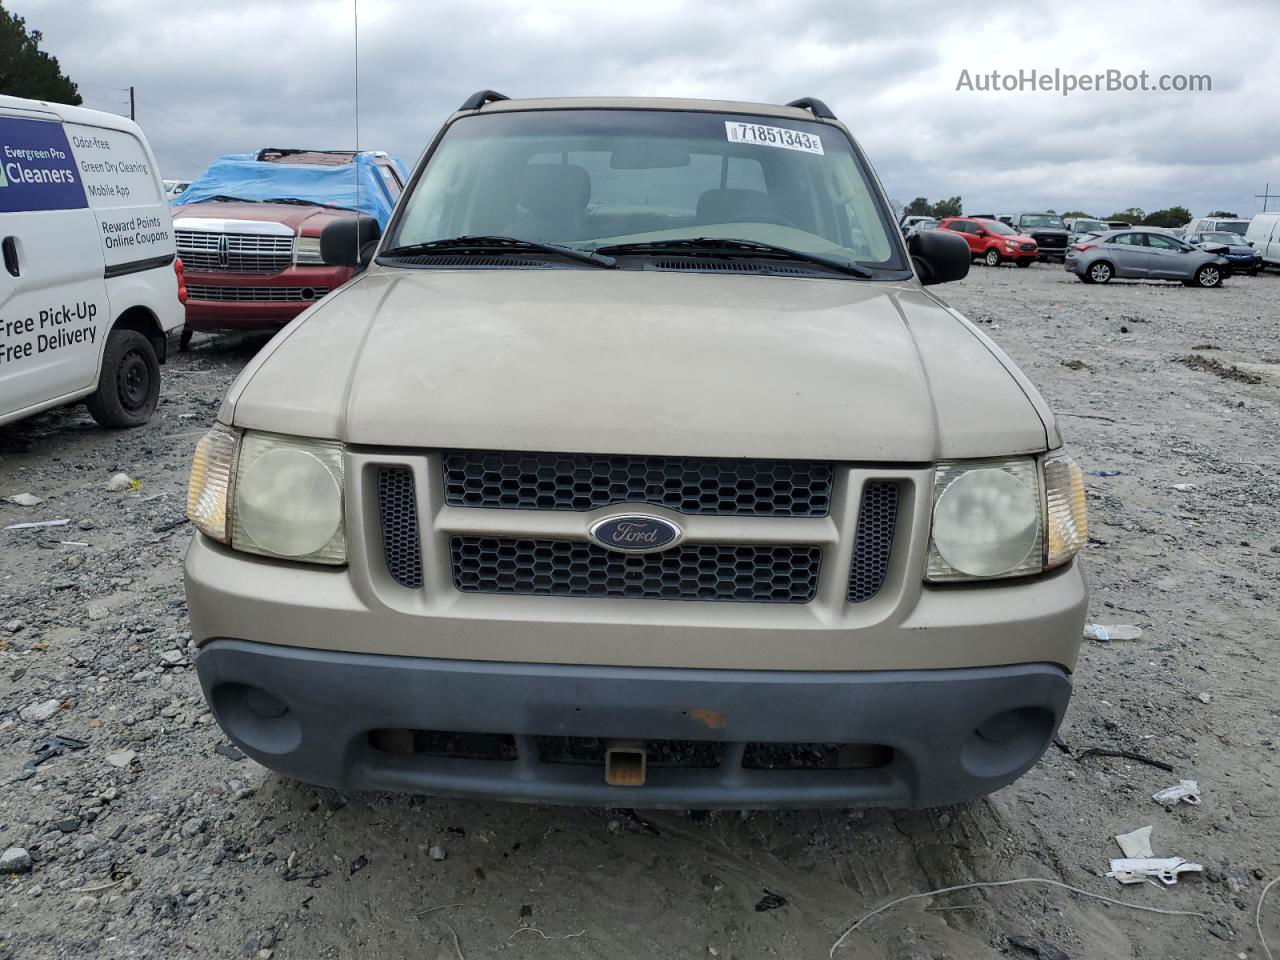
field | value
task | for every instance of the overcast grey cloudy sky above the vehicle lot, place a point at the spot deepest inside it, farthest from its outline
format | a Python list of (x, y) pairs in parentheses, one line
[(236, 75)]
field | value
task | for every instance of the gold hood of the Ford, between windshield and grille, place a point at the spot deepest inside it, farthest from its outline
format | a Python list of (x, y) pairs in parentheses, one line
[(644, 363)]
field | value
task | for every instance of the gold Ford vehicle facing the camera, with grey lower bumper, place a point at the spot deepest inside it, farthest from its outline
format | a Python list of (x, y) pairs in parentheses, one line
[(638, 467)]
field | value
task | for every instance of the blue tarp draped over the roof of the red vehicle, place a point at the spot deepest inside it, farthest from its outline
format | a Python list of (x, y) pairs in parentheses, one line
[(244, 177)]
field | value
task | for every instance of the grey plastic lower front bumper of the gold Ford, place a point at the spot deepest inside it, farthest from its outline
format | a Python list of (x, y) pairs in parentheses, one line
[(309, 715)]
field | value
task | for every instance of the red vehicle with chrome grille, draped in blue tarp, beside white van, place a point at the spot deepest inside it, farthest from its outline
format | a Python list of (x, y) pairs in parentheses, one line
[(249, 232)]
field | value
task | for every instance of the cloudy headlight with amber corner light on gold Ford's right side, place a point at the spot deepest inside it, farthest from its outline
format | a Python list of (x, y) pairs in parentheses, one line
[(1005, 518)]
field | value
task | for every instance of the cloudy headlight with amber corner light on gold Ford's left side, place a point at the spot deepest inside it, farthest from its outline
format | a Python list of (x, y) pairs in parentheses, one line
[(271, 495)]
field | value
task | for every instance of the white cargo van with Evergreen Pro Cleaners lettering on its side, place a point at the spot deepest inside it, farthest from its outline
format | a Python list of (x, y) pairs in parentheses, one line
[(90, 287)]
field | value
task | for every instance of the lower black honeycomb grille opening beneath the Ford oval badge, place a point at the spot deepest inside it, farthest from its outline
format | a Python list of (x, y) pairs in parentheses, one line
[(760, 574)]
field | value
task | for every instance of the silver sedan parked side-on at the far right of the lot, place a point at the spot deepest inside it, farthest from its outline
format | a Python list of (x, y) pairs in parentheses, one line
[(1141, 255)]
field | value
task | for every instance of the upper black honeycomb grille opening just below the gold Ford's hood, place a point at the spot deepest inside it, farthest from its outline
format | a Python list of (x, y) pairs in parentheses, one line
[(582, 482)]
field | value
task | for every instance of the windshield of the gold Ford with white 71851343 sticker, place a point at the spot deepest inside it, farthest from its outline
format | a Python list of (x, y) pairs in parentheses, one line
[(598, 179)]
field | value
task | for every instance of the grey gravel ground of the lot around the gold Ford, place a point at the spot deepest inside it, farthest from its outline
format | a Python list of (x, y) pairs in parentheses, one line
[(157, 840)]
